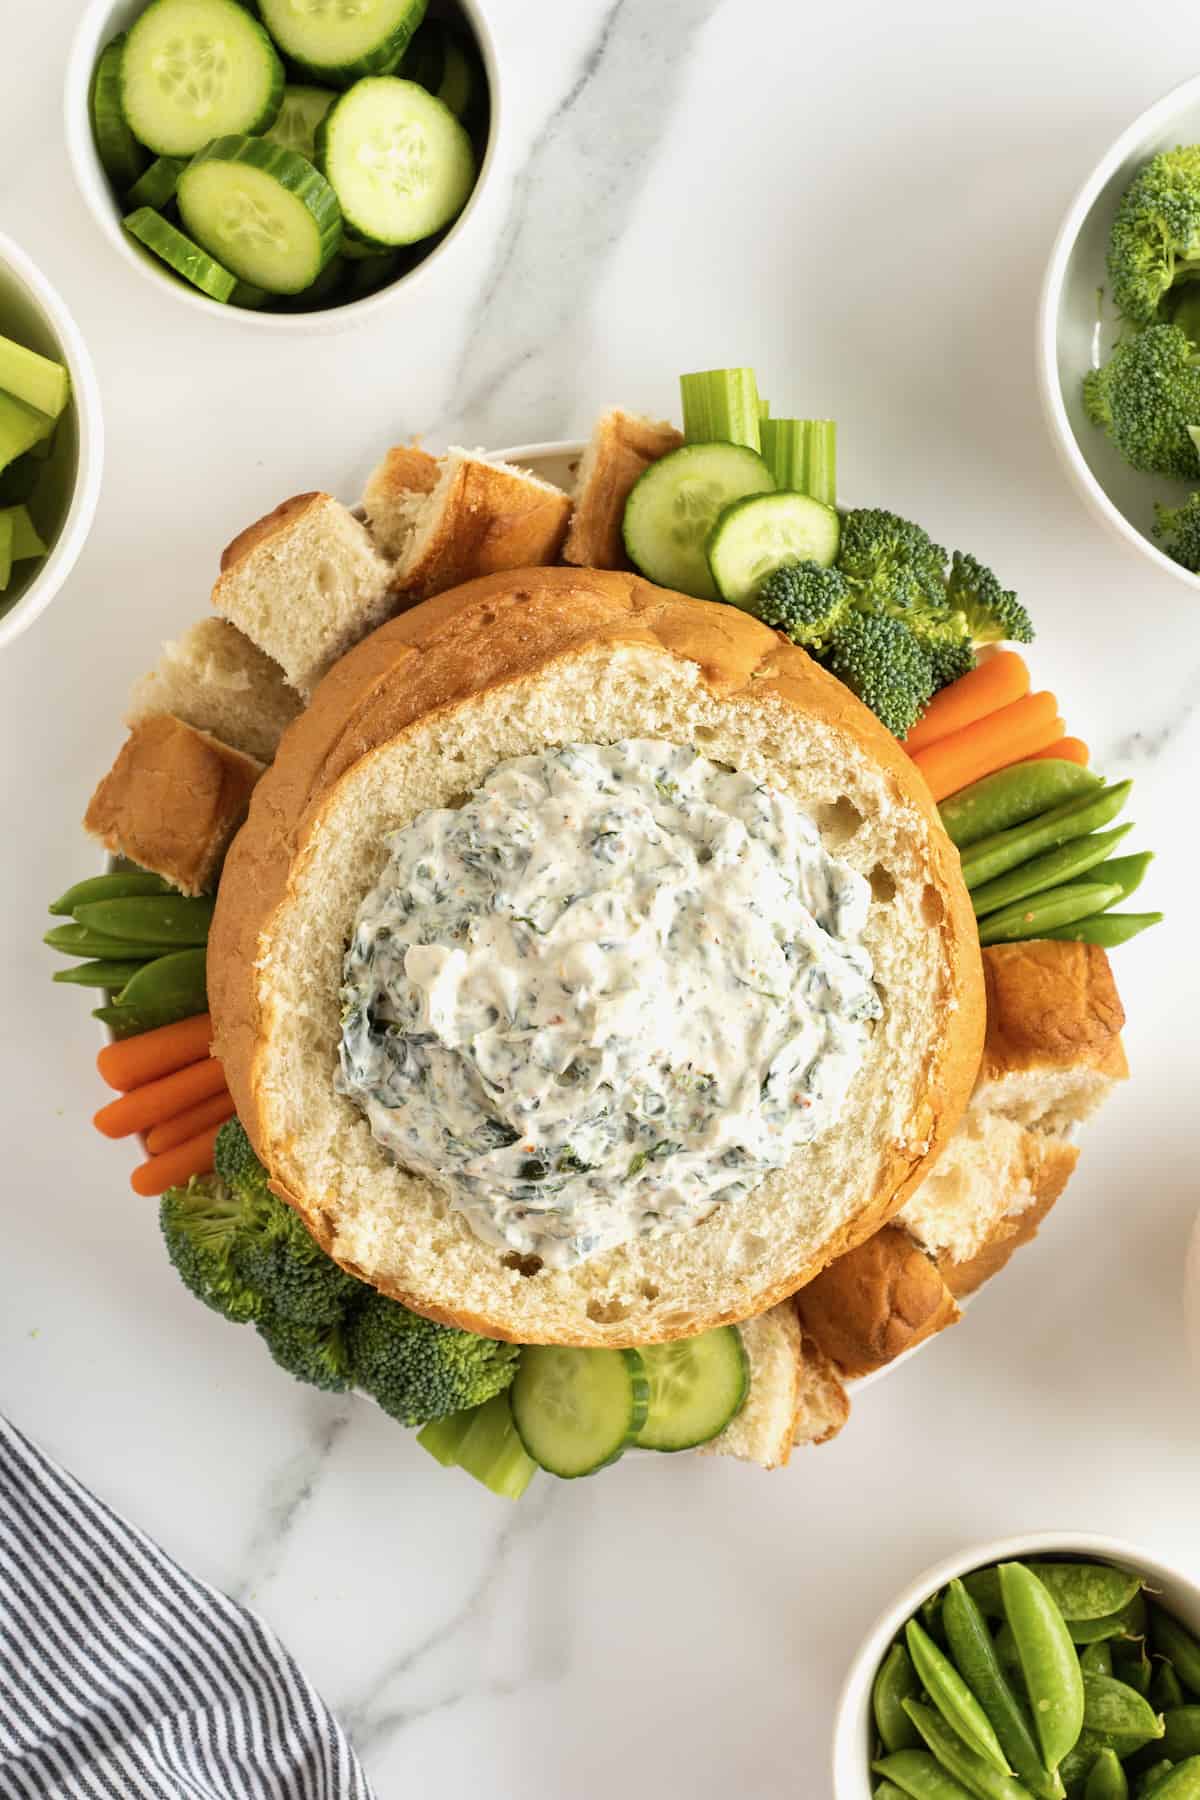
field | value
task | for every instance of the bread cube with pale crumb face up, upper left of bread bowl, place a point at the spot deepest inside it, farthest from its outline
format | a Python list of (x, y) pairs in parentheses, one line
[(305, 584)]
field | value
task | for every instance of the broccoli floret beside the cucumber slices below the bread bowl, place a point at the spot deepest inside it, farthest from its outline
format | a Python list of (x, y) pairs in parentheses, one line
[(420, 1371)]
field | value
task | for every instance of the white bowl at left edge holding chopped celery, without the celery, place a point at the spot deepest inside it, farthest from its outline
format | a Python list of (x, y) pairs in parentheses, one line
[(71, 481)]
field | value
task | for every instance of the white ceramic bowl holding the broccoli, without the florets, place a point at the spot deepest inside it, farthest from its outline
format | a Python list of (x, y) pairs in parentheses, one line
[(1077, 336)]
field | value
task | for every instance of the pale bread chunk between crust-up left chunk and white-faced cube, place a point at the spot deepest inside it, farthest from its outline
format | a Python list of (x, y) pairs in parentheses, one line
[(215, 679)]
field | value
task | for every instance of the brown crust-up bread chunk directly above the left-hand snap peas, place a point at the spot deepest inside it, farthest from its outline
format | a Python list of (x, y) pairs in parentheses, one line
[(172, 802)]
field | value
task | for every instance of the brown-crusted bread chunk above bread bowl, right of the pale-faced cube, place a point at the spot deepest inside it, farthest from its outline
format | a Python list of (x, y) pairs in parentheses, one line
[(483, 517)]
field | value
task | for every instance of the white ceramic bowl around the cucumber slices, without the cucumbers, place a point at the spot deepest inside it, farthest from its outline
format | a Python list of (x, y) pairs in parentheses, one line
[(102, 21)]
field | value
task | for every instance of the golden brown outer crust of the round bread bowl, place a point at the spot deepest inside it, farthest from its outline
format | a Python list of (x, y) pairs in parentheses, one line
[(487, 636)]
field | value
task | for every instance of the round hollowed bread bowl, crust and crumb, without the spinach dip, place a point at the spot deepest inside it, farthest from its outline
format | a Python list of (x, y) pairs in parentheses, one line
[(416, 717)]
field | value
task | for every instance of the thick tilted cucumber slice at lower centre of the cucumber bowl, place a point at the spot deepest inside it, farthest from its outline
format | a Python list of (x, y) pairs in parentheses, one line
[(264, 211)]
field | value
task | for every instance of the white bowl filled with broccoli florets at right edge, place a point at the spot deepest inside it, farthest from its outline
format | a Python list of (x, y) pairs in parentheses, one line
[(1124, 280)]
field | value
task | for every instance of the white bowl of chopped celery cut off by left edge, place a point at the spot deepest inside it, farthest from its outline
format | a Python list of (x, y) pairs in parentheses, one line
[(51, 442)]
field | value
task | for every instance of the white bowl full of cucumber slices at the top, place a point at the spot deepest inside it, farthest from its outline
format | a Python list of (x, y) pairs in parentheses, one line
[(291, 166)]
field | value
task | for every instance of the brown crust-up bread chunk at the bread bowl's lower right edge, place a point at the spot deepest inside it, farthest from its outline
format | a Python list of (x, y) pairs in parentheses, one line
[(872, 1306)]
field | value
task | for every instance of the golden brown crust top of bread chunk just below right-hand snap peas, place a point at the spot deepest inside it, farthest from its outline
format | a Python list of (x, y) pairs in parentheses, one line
[(1052, 1005)]
